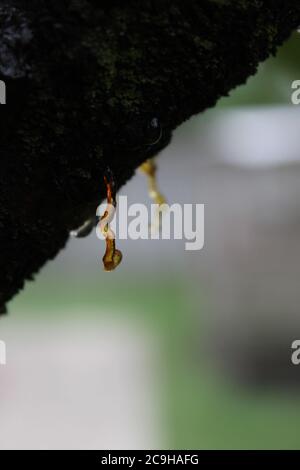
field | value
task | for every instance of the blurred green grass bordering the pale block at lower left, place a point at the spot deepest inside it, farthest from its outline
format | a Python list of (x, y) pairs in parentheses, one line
[(203, 409)]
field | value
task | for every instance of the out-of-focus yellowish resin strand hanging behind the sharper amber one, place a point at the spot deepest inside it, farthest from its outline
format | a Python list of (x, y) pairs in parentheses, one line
[(149, 168)]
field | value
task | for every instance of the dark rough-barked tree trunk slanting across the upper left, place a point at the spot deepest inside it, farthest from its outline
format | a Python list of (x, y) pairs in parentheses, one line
[(84, 80)]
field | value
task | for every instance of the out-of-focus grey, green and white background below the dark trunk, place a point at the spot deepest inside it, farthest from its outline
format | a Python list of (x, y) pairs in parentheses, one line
[(176, 349)]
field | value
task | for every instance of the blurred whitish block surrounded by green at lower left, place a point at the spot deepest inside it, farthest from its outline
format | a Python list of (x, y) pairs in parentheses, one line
[(79, 385)]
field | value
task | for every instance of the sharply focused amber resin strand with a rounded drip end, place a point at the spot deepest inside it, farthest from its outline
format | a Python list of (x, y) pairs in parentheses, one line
[(112, 257)]
